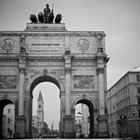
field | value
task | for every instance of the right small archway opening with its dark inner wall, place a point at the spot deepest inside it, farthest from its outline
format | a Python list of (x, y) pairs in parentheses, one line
[(84, 119)]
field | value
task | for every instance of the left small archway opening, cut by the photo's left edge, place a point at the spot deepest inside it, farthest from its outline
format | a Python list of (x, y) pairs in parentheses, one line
[(7, 118)]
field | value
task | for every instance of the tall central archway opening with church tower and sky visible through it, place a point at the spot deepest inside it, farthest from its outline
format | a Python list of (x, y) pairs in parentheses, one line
[(45, 107)]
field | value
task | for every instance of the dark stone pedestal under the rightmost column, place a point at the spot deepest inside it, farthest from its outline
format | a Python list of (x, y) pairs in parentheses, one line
[(102, 126)]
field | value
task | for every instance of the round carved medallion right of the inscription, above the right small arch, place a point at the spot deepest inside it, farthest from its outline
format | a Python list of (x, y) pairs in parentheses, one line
[(83, 44)]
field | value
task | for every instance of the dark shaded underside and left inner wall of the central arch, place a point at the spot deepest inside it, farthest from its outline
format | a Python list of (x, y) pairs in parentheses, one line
[(37, 81)]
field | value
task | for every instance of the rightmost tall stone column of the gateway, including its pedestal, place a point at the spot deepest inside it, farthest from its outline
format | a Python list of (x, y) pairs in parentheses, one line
[(102, 118)]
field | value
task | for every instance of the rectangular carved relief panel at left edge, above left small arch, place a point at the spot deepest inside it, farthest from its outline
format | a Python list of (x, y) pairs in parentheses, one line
[(8, 82)]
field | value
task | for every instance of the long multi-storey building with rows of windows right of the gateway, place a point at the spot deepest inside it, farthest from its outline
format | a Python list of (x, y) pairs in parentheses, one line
[(123, 106)]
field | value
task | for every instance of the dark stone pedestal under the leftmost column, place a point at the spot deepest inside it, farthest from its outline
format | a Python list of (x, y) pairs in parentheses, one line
[(20, 127)]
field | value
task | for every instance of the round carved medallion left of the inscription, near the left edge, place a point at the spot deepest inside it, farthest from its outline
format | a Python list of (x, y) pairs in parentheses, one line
[(7, 44)]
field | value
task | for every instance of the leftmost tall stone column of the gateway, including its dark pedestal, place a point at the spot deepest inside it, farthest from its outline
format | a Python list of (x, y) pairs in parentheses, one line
[(20, 120)]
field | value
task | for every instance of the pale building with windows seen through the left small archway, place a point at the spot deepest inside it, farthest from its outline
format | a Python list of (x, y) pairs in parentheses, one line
[(9, 121)]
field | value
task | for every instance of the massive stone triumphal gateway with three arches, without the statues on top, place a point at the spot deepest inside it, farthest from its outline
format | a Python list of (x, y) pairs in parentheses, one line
[(73, 60)]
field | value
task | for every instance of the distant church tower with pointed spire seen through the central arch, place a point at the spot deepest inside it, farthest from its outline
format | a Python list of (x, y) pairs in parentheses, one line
[(40, 108)]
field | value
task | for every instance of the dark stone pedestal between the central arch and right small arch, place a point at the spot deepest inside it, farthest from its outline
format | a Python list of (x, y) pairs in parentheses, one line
[(68, 127)]
